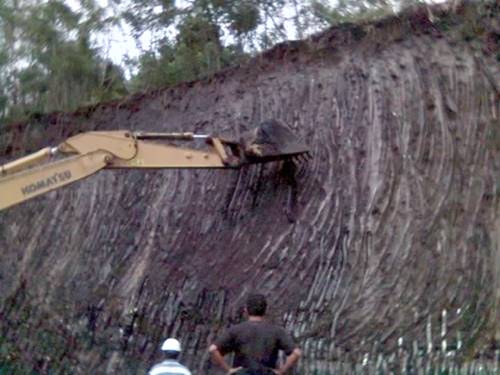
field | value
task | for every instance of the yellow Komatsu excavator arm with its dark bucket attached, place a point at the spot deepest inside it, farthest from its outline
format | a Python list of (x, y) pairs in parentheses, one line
[(87, 153)]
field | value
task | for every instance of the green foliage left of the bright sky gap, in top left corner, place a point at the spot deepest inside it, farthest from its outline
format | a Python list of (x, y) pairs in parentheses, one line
[(48, 59)]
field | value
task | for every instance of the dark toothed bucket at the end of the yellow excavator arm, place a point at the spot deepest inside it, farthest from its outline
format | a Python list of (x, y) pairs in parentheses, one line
[(271, 141)]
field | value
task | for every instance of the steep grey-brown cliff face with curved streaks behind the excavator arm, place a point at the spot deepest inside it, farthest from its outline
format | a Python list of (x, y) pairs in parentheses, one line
[(393, 221)]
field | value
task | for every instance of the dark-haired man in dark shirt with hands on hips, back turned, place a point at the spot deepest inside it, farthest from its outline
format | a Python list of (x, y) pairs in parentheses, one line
[(255, 343)]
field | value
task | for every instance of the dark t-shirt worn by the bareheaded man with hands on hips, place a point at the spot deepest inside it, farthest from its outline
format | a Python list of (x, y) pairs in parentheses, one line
[(255, 344)]
